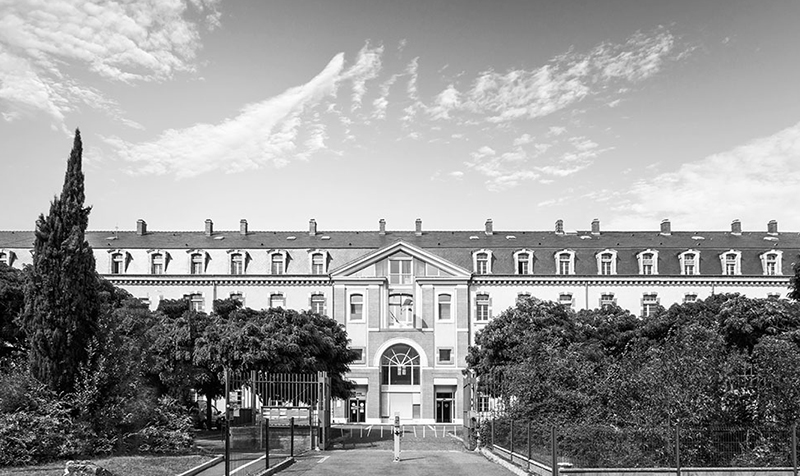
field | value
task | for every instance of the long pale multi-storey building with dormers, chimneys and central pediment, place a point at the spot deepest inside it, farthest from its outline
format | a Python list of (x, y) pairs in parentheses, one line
[(412, 301)]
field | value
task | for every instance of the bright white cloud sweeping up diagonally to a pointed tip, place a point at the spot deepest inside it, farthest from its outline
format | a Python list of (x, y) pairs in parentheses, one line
[(264, 133)]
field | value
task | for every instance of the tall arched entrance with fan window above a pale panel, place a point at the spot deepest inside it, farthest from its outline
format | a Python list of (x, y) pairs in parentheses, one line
[(400, 382)]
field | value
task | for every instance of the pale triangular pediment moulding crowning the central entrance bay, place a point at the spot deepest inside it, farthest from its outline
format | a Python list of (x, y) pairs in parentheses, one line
[(400, 249)]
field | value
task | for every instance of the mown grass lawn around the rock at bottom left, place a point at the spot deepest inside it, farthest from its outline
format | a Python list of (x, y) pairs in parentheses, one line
[(120, 466)]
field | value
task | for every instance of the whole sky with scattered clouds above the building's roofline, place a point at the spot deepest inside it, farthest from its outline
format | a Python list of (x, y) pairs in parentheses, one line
[(348, 111)]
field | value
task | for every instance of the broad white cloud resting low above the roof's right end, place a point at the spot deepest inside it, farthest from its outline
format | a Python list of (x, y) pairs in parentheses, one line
[(754, 182)]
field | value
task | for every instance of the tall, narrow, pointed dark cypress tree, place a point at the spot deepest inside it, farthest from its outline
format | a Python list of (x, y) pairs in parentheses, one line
[(61, 299)]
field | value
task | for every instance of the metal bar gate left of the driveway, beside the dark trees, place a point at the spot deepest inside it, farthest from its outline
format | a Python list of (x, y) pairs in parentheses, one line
[(272, 416)]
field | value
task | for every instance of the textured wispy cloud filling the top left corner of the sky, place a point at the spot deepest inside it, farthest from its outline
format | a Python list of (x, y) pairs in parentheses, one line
[(118, 41)]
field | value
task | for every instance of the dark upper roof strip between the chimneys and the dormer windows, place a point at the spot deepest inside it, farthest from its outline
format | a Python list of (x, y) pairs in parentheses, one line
[(430, 240)]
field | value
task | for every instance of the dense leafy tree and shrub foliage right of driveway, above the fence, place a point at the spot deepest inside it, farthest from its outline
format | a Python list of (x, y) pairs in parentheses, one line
[(725, 360)]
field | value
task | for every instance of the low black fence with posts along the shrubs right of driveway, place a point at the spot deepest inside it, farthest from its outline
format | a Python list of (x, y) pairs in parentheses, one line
[(607, 446)]
